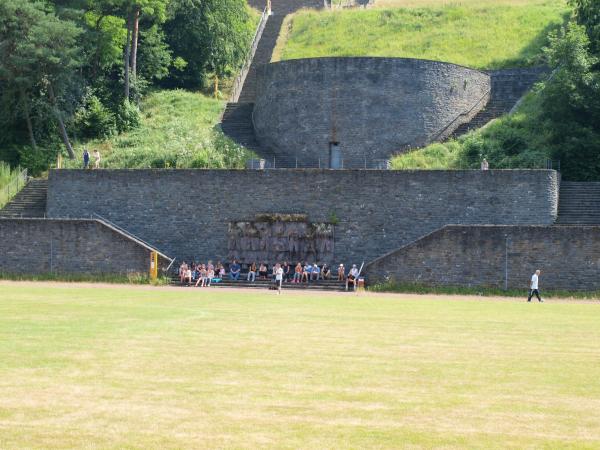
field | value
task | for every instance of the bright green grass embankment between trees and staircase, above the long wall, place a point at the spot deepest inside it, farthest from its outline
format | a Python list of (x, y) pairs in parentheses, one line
[(177, 130)]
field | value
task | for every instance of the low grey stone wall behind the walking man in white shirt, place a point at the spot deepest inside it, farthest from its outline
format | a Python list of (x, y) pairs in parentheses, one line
[(569, 257)]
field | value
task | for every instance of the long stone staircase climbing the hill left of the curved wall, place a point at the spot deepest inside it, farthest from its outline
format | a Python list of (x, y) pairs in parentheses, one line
[(237, 118)]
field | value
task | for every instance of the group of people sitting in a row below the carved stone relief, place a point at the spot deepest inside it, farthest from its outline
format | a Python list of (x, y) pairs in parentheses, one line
[(205, 274)]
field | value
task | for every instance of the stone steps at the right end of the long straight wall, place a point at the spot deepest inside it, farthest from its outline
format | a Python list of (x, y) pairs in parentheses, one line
[(579, 203)]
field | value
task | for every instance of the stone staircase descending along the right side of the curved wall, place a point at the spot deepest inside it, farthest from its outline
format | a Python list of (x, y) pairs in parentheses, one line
[(508, 86)]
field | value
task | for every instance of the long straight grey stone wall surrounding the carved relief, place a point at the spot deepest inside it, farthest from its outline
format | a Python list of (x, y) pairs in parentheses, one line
[(186, 213)]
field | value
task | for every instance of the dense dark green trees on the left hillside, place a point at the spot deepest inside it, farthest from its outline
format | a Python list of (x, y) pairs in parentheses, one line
[(78, 68)]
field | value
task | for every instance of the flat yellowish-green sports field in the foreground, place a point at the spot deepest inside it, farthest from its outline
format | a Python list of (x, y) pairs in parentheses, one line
[(123, 367)]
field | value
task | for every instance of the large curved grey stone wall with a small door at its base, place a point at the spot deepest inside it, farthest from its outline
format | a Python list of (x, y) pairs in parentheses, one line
[(374, 107)]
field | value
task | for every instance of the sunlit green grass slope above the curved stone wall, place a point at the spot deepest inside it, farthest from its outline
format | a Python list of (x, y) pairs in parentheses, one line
[(484, 36)]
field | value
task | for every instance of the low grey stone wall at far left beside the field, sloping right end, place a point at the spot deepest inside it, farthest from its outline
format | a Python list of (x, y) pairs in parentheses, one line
[(43, 246)]
